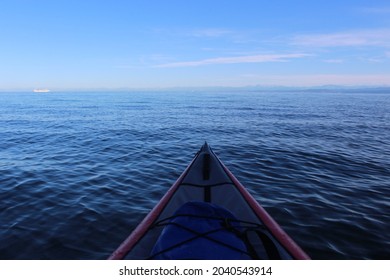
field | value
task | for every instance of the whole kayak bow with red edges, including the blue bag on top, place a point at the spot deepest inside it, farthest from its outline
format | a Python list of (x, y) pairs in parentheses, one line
[(208, 184)]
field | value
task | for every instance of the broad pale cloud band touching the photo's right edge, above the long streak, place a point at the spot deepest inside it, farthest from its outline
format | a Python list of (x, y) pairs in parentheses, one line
[(355, 38)]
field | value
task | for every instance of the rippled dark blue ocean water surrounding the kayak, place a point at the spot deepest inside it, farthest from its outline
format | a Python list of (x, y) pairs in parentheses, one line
[(78, 171)]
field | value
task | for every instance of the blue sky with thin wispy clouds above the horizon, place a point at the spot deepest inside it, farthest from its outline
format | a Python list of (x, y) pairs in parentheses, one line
[(117, 44)]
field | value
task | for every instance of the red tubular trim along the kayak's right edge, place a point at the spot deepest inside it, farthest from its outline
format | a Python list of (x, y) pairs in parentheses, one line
[(268, 221)]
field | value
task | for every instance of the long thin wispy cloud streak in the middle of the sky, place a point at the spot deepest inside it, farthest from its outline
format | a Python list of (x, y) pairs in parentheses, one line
[(236, 59)]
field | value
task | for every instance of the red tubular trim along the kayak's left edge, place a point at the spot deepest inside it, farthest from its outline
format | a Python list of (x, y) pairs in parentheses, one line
[(143, 227)]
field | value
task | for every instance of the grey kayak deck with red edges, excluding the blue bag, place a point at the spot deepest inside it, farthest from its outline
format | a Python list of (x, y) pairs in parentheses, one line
[(207, 179)]
